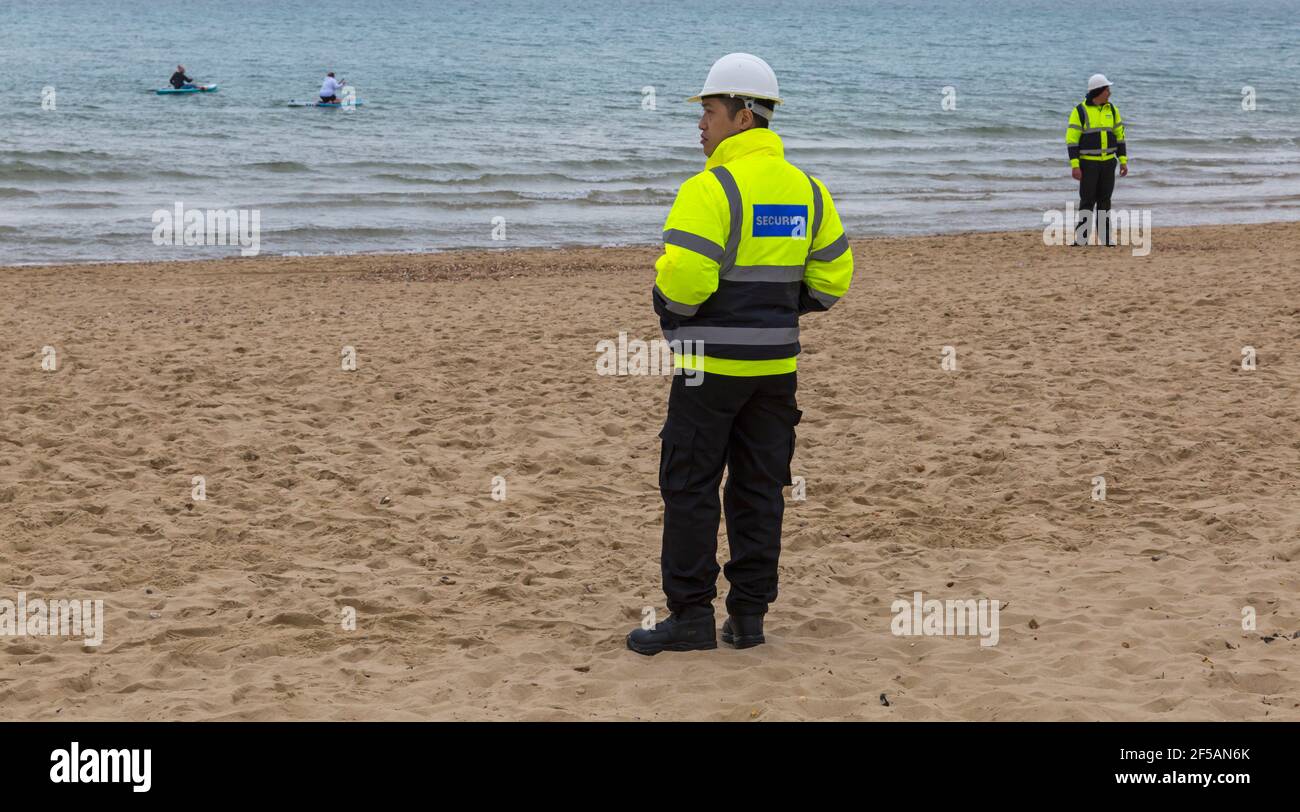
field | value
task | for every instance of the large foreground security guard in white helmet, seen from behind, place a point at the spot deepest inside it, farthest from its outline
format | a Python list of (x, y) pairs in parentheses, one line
[(751, 245)]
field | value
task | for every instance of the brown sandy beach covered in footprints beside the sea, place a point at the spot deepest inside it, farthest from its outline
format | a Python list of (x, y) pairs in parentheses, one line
[(333, 492)]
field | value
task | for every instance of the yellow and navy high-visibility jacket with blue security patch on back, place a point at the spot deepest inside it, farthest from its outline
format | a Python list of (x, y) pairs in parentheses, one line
[(749, 246)]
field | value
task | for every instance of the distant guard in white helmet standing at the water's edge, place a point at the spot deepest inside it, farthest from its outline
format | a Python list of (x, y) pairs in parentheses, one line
[(1094, 140)]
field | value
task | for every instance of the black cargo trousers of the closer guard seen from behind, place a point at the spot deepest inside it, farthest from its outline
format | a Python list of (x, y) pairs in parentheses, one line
[(746, 424)]
